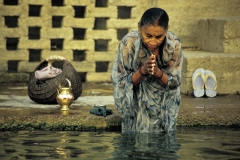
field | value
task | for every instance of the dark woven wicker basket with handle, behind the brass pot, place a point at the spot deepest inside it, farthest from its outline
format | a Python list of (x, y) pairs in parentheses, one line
[(45, 91)]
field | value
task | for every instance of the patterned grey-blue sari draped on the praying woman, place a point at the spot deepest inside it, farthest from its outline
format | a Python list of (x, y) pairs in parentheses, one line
[(147, 107)]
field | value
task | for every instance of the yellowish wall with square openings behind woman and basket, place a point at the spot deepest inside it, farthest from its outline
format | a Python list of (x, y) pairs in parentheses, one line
[(85, 32)]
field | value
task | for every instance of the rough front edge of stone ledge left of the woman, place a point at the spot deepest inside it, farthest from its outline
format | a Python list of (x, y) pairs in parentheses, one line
[(49, 122)]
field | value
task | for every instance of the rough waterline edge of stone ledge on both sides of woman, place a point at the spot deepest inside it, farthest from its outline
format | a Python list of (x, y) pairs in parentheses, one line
[(76, 123)]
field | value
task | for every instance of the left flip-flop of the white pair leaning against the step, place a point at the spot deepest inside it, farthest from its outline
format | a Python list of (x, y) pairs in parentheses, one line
[(198, 82)]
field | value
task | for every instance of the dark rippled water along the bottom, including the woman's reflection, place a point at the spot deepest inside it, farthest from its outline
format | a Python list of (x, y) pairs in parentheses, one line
[(187, 143)]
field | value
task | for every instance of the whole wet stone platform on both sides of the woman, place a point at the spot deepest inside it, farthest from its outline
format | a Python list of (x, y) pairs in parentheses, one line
[(18, 112)]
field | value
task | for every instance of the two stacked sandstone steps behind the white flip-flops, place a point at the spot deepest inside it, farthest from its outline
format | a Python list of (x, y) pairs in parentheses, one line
[(220, 40)]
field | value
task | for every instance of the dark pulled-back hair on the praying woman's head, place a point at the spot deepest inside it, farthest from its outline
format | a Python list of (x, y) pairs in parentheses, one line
[(155, 16)]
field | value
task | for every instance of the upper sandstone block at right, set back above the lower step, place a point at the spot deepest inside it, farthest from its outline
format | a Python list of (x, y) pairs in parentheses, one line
[(220, 35)]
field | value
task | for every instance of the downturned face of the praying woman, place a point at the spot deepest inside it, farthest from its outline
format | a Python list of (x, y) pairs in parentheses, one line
[(152, 36)]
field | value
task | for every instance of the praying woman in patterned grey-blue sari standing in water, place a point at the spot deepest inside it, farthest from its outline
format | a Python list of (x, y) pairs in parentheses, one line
[(146, 76)]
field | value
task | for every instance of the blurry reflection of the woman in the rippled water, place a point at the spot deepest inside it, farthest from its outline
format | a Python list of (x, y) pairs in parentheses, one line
[(146, 146)]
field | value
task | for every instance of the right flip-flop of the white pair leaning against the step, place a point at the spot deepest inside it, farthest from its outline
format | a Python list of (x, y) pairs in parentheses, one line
[(210, 83)]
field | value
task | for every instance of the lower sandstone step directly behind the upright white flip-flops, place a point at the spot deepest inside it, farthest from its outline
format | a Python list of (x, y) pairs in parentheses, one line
[(225, 66)]
